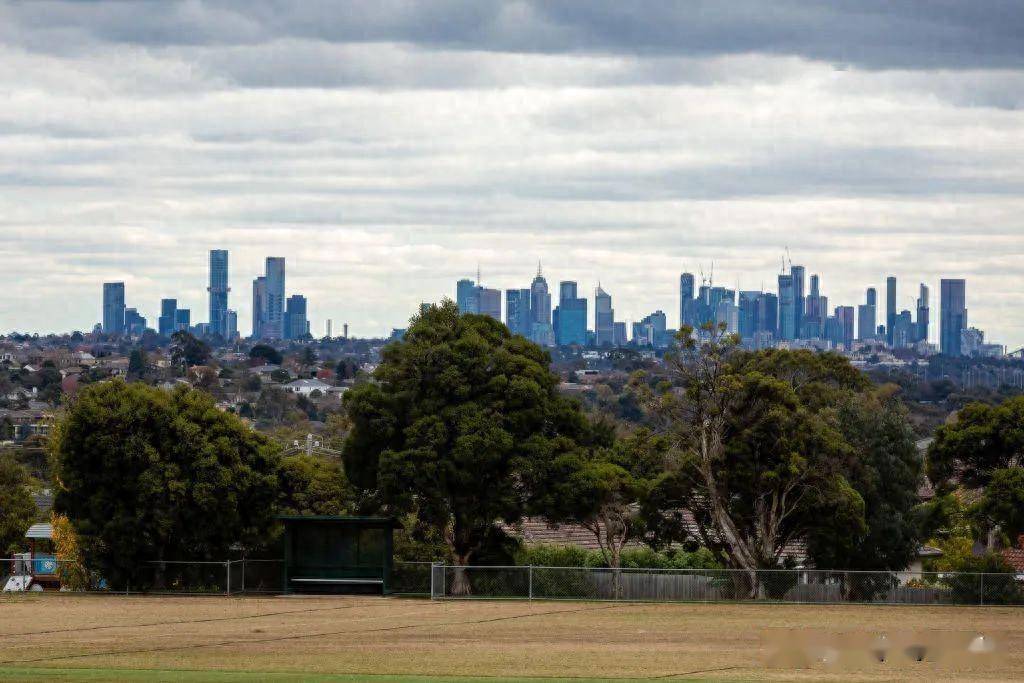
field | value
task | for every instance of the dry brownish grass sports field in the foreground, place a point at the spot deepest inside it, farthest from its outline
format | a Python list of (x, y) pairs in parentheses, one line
[(108, 638)]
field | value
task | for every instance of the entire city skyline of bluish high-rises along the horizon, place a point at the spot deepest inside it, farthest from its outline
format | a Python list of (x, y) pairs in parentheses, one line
[(762, 318)]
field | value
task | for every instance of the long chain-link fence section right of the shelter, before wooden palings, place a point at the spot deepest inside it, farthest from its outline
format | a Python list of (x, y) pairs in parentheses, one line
[(796, 586)]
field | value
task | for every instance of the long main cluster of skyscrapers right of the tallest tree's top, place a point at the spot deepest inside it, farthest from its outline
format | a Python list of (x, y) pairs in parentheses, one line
[(792, 317)]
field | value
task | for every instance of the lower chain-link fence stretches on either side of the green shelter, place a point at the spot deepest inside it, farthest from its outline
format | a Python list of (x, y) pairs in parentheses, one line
[(241, 577)]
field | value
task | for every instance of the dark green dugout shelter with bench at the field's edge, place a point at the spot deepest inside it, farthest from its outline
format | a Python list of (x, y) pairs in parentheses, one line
[(328, 554)]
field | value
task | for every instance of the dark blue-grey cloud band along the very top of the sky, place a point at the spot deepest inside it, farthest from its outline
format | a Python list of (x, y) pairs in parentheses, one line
[(873, 34)]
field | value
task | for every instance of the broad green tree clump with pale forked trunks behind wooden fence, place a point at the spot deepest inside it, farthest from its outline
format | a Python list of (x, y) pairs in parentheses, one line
[(778, 447)]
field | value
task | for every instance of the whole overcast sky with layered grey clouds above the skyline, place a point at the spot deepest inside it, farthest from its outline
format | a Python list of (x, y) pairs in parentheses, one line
[(386, 149)]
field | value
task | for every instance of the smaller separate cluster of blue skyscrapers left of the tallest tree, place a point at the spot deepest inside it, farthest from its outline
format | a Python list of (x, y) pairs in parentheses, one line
[(274, 318)]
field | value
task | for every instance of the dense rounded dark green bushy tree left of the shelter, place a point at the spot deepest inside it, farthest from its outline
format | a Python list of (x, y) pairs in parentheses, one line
[(149, 476)]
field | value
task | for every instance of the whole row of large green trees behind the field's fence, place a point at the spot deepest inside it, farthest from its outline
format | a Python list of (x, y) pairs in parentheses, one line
[(754, 460)]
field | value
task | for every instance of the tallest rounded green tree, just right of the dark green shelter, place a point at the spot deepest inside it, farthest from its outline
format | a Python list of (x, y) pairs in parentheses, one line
[(452, 428)]
